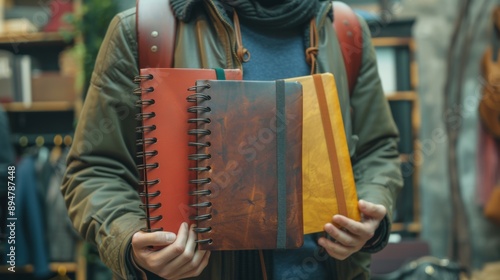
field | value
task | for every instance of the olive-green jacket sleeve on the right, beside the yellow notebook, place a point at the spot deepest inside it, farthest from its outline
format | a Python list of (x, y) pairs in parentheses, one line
[(376, 163)]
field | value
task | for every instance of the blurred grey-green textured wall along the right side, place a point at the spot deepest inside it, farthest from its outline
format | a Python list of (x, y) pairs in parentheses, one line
[(433, 31)]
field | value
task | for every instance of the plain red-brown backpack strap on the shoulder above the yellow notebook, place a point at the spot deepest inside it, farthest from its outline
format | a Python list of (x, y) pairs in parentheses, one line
[(350, 38)]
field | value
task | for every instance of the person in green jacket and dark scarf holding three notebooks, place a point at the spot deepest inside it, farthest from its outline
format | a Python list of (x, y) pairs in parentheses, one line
[(99, 186)]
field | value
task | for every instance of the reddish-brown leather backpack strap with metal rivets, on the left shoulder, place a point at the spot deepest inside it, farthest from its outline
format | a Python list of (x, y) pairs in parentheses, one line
[(156, 26)]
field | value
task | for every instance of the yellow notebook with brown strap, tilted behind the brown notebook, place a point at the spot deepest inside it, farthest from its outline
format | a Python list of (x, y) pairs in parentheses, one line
[(328, 186)]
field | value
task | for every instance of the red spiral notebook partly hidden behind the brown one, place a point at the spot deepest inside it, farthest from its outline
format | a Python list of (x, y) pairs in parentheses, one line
[(166, 196)]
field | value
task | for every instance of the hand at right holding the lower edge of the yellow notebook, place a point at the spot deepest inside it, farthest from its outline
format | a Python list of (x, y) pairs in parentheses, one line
[(350, 235)]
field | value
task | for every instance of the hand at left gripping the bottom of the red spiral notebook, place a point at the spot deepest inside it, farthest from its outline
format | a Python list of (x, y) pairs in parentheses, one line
[(178, 259)]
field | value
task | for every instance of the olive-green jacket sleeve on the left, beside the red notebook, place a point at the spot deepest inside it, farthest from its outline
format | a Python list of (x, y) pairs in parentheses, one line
[(101, 175)]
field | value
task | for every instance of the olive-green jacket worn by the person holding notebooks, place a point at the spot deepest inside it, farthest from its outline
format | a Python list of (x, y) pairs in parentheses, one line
[(101, 177)]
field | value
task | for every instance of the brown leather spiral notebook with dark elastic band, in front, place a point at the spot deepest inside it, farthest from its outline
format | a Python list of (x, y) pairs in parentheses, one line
[(248, 175)]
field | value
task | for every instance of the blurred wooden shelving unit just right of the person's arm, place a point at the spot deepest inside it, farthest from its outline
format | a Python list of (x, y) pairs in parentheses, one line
[(403, 101)]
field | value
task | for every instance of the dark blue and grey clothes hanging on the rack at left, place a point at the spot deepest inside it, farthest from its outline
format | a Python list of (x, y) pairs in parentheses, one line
[(44, 232)]
